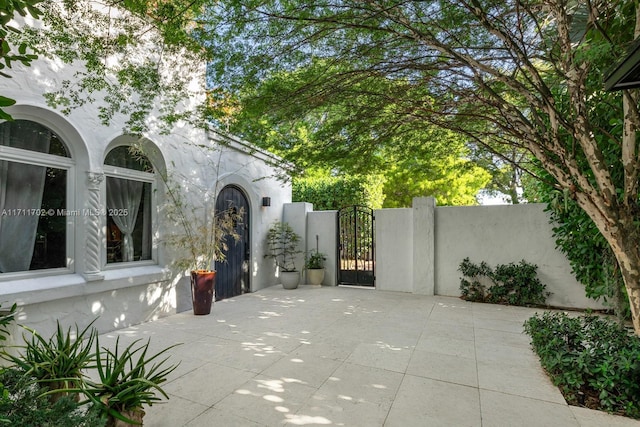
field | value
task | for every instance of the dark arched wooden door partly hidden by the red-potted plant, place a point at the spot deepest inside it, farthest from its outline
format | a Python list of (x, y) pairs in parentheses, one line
[(232, 277)]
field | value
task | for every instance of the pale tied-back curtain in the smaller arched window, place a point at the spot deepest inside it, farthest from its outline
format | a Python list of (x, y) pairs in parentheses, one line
[(124, 195)]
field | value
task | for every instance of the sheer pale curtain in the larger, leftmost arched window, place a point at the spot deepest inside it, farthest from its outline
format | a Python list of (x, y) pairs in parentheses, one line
[(21, 188)]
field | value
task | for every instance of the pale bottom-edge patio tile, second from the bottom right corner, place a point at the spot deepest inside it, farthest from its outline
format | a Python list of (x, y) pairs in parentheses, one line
[(506, 410)]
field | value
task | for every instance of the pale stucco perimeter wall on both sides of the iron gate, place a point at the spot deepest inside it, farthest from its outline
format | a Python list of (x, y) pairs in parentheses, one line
[(418, 250)]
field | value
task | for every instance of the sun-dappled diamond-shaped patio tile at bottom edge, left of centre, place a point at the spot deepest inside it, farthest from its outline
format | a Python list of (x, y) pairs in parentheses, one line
[(266, 400)]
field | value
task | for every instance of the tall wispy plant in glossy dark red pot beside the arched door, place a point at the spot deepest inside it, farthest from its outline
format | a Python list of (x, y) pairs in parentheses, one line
[(204, 235)]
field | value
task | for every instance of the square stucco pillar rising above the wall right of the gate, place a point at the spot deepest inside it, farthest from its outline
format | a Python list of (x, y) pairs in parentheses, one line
[(423, 245)]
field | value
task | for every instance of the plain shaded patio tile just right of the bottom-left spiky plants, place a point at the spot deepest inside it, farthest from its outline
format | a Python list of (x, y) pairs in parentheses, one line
[(208, 384)]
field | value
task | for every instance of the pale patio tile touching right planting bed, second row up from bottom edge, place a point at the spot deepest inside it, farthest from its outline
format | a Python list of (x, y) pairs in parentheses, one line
[(514, 380)]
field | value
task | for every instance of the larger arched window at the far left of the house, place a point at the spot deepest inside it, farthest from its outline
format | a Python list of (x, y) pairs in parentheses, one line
[(34, 179)]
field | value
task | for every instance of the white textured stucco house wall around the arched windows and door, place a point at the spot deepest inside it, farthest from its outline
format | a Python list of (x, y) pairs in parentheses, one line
[(121, 295)]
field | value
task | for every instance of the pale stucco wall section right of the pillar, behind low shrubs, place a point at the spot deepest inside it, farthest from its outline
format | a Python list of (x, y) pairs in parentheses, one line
[(500, 235)]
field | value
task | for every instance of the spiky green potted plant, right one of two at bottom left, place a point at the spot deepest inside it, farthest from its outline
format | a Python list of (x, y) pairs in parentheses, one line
[(128, 379)]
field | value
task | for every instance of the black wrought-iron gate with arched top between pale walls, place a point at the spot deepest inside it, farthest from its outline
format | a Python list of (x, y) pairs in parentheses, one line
[(356, 257)]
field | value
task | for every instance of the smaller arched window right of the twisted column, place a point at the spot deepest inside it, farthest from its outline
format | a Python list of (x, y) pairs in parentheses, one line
[(130, 183)]
